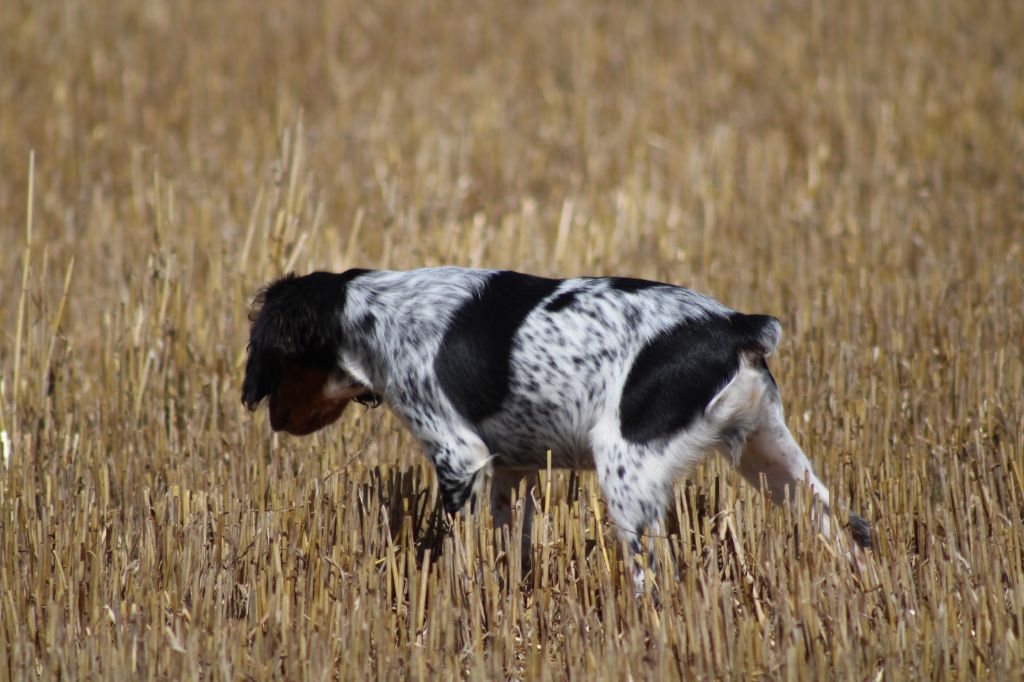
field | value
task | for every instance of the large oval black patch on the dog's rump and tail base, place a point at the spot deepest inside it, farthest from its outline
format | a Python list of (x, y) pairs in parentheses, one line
[(680, 371)]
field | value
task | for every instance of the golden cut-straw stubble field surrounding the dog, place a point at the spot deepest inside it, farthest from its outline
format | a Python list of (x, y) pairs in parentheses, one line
[(855, 168)]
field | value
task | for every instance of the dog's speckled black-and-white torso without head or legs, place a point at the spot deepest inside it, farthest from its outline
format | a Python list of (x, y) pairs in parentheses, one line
[(534, 364)]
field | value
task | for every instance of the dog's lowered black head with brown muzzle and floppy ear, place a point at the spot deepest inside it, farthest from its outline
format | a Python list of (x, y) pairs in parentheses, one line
[(295, 339)]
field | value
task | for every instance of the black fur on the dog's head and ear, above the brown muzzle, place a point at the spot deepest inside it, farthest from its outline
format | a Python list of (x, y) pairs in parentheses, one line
[(297, 318)]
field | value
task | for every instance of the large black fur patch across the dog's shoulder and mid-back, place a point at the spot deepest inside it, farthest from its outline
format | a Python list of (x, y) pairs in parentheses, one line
[(474, 366)]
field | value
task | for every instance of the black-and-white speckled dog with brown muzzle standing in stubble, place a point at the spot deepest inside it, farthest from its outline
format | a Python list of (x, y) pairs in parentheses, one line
[(492, 369)]
